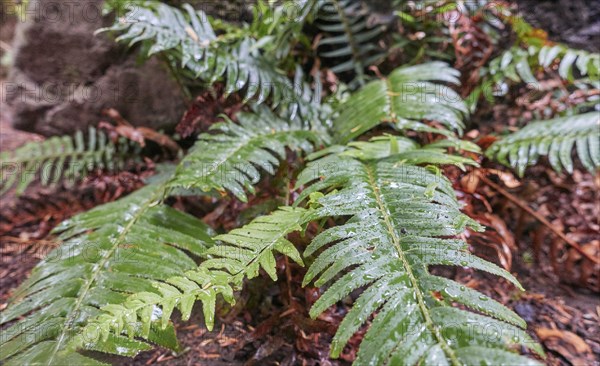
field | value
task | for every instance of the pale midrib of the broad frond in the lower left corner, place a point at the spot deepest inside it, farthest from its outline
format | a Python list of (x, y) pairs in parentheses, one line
[(99, 267)]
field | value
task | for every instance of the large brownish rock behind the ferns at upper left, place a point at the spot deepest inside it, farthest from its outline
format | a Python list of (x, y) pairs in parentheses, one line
[(64, 75)]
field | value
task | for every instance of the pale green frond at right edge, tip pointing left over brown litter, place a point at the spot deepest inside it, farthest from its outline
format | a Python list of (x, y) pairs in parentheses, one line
[(554, 138)]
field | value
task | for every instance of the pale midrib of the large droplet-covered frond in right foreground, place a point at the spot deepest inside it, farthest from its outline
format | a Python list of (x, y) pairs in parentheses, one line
[(407, 267)]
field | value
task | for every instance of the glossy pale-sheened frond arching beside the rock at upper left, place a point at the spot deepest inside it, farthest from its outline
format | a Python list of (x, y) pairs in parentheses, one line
[(190, 38)]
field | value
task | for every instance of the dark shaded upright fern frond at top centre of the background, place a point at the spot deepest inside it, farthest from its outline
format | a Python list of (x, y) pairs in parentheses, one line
[(349, 36)]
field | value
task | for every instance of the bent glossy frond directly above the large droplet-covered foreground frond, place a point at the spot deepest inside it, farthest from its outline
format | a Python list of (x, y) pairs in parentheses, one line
[(407, 97)]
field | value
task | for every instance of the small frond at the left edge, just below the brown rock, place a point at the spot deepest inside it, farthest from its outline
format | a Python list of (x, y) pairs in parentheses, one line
[(63, 157)]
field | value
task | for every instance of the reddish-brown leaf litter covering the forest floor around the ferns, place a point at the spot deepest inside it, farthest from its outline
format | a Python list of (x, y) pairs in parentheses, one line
[(270, 323)]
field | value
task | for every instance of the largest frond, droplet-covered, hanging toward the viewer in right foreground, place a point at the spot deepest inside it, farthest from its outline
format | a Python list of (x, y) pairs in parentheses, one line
[(400, 218)]
